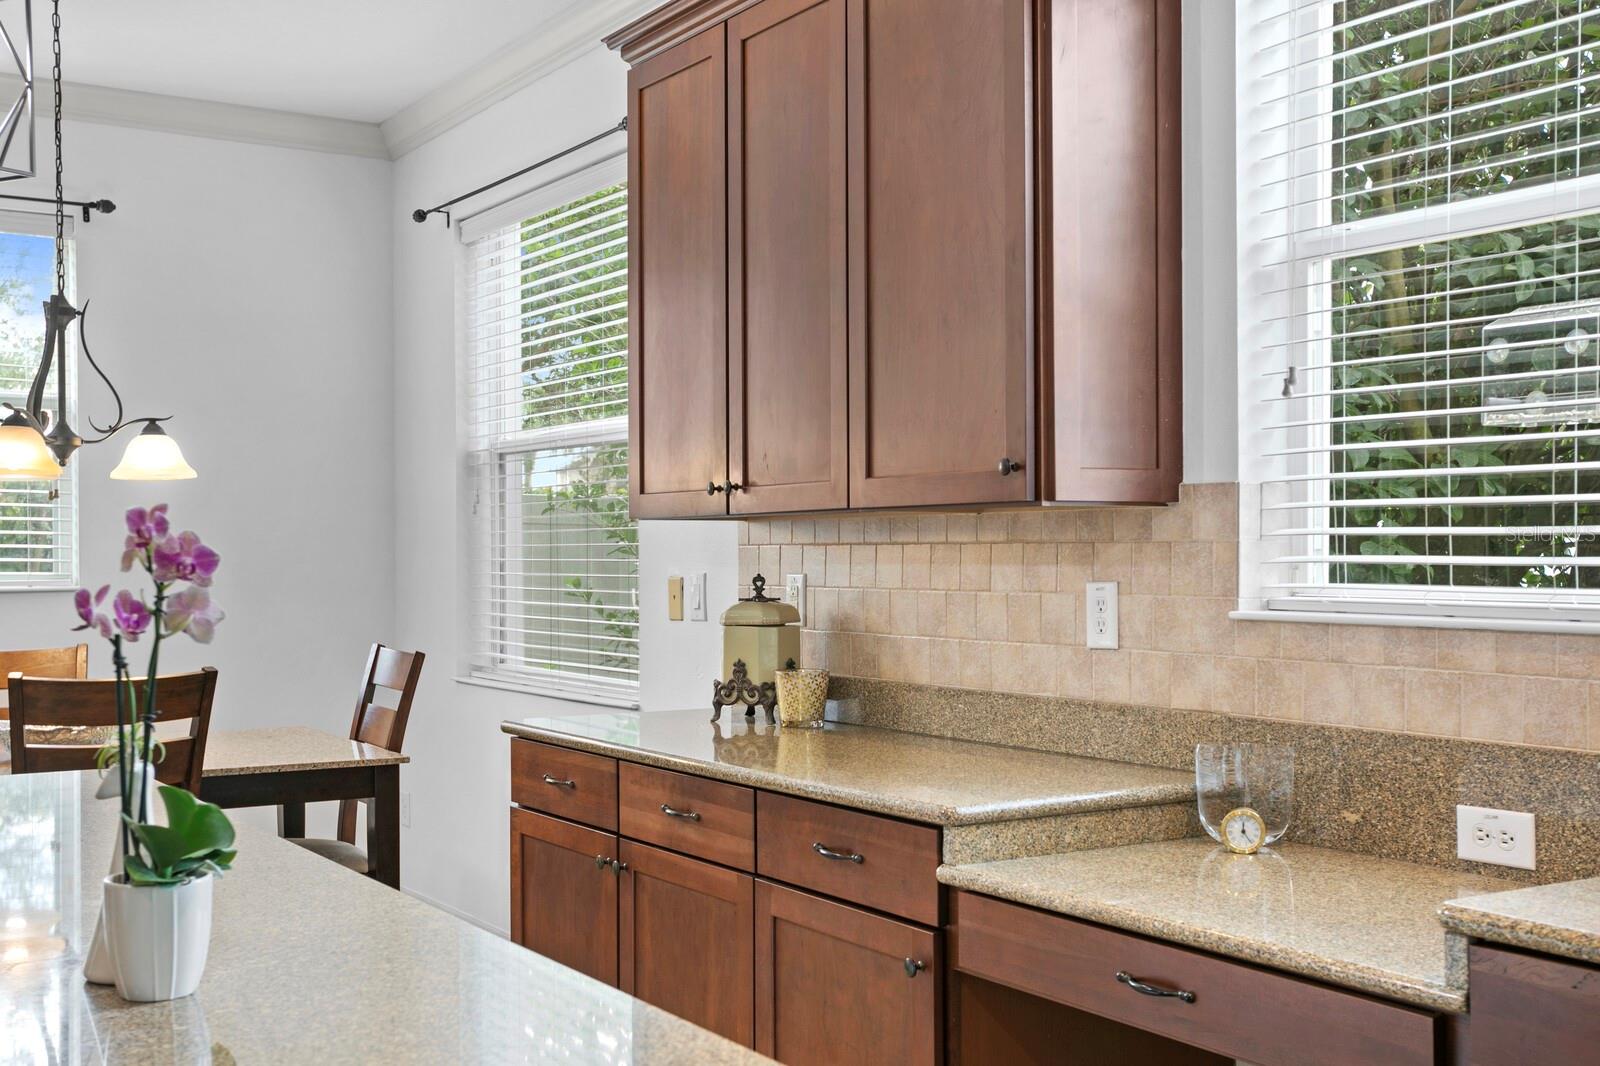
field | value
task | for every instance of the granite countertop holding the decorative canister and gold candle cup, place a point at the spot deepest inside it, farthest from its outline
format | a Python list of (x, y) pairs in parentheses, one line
[(926, 779)]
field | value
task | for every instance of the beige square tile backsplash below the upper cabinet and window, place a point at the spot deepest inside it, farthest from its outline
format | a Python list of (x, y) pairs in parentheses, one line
[(994, 603)]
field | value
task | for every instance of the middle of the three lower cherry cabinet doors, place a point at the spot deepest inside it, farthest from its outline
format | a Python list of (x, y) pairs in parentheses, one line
[(687, 940)]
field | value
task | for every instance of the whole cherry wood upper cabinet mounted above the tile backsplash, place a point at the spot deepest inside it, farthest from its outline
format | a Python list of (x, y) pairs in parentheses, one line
[(950, 254)]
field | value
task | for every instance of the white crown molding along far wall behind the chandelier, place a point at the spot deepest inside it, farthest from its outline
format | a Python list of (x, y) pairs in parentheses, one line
[(210, 119)]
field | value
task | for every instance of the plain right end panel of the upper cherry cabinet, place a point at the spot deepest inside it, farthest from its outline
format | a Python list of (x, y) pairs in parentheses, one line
[(1113, 231)]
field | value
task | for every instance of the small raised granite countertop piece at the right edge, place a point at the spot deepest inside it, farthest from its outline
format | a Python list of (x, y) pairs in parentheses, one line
[(1556, 920)]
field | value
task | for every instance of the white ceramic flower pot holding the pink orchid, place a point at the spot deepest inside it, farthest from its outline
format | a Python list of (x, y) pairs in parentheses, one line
[(159, 937)]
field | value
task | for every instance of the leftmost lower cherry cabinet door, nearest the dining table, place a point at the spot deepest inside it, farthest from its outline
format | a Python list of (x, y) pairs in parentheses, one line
[(562, 897)]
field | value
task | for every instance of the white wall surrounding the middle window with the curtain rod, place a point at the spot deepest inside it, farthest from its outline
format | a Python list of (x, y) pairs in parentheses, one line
[(455, 851)]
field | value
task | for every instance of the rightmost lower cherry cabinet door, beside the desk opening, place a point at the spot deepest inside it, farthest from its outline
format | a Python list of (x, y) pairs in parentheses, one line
[(838, 985)]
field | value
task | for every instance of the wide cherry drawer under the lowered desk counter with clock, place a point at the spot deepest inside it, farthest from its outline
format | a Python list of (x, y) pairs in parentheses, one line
[(1241, 1011)]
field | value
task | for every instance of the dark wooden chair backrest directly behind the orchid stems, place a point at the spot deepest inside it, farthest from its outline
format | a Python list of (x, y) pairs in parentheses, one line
[(55, 707)]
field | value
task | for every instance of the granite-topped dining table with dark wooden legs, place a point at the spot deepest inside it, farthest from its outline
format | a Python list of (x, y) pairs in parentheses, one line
[(292, 766)]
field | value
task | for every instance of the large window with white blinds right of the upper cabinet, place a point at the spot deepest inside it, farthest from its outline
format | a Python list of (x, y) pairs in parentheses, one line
[(1420, 295)]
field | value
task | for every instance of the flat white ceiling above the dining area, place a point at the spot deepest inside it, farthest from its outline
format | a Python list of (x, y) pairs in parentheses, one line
[(361, 60)]
